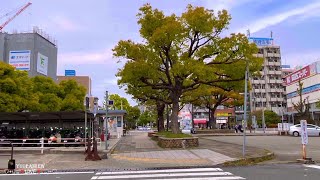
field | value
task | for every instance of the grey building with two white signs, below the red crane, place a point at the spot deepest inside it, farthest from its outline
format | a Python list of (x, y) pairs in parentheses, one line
[(34, 52)]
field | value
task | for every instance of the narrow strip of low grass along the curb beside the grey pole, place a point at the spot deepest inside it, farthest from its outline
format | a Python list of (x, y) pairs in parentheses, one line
[(249, 161)]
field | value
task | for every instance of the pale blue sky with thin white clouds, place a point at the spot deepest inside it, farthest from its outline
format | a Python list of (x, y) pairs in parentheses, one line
[(87, 30)]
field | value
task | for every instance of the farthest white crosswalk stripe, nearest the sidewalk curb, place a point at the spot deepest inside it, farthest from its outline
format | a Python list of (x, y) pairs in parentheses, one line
[(162, 171)]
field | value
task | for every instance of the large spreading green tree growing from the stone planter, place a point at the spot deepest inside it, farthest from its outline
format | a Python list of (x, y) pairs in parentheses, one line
[(179, 53)]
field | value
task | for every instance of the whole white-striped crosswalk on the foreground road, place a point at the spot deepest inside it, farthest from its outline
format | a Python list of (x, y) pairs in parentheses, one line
[(179, 174)]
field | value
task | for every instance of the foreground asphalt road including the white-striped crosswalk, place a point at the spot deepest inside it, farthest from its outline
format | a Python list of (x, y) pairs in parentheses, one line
[(259, 172)]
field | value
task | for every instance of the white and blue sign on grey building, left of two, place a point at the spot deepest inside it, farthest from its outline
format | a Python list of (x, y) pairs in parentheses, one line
[(20, 59)]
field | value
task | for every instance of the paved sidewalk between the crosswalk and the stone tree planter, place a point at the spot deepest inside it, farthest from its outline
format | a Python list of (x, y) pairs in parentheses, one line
[(137, 150)]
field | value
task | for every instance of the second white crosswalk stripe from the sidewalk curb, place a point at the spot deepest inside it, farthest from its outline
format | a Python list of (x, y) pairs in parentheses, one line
[(164, 175)]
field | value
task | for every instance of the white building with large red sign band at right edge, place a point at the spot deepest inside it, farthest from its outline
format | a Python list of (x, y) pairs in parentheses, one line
[(310, 77)]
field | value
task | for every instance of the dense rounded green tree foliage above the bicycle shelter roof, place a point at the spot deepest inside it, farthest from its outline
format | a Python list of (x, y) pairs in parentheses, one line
[(18, 92)]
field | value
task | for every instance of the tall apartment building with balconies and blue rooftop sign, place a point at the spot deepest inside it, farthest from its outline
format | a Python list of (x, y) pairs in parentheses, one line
[(267, 90)]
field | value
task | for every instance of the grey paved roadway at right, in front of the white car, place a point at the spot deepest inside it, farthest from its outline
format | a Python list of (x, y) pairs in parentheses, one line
[(286, 148)]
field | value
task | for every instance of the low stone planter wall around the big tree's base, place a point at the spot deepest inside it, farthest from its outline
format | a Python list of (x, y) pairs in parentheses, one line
[(178, 142)]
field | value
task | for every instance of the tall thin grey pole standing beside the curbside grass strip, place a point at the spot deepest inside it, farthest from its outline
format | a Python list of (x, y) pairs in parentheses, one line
[(245, 110)]
